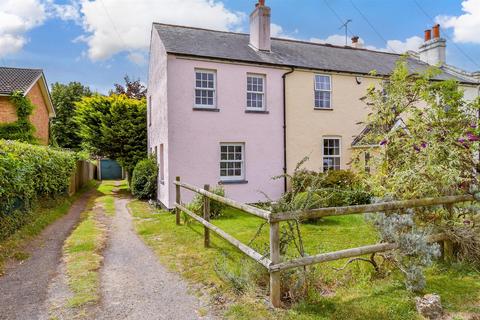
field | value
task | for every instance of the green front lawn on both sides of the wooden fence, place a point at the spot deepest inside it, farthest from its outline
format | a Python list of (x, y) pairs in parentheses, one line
[(353, 293)]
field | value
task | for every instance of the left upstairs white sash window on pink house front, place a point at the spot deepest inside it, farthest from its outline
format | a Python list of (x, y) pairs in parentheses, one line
[(205, 85)]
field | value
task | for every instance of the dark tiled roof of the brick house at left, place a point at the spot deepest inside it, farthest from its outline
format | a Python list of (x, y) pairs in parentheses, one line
[(17, 79)]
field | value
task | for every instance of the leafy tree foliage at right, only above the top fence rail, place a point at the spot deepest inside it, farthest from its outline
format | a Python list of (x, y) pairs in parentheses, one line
[(432, 154)]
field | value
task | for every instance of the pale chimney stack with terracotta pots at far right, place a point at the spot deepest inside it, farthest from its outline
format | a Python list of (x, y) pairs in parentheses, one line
[(433, 50)]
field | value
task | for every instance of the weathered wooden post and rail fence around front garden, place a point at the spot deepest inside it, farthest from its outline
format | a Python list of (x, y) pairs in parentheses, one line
[(274, 263)]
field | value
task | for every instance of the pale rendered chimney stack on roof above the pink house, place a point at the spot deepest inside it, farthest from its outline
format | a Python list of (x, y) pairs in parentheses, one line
[(260, 27)]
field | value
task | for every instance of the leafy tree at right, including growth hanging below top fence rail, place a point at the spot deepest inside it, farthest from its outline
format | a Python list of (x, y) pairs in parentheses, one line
[(428, 136)]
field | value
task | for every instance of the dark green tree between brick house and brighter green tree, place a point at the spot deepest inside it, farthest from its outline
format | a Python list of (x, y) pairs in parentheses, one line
[(64, 129)]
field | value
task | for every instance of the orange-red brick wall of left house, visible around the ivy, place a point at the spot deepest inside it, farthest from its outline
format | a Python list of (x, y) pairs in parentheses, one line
[(39, 117)]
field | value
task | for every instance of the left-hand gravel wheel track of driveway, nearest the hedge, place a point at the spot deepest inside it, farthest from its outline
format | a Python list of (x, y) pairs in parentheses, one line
[(24, 287)]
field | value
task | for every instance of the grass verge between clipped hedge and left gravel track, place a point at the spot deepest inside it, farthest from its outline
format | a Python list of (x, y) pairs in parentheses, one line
[(44, 213)]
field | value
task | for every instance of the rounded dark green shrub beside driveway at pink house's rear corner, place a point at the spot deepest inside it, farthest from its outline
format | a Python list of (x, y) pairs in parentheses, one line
[(144, 179)]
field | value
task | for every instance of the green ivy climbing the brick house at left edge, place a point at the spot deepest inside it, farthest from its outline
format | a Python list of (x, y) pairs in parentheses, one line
[(21, 129)]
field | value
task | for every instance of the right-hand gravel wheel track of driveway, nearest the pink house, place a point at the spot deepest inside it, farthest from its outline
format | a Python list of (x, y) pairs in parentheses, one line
[(134, 284)]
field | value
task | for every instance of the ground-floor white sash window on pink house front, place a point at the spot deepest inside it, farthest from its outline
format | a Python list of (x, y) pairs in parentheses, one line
[(232, 166)]
